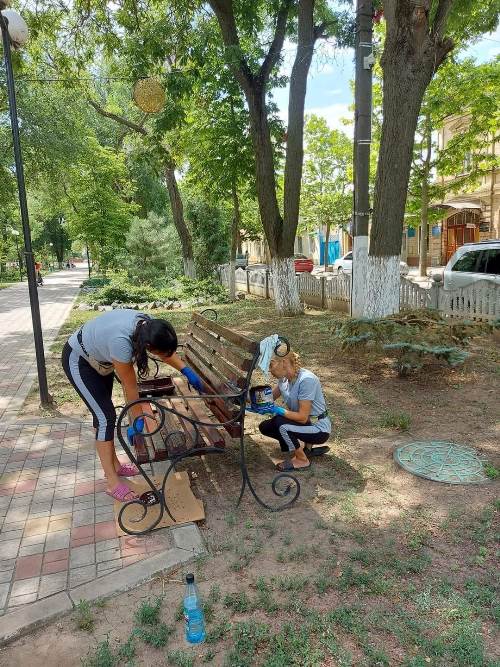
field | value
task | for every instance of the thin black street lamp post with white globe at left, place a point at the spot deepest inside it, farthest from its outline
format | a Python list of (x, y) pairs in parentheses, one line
[(11, 37)]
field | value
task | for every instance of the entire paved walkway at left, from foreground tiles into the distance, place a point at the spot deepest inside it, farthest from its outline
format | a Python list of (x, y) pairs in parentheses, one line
[(57, 527)]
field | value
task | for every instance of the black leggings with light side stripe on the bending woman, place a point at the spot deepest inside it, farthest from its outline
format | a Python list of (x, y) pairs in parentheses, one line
[(94, 389)]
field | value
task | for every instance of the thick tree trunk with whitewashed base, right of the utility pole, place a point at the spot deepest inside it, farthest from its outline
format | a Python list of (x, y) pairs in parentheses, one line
[(413, 52)]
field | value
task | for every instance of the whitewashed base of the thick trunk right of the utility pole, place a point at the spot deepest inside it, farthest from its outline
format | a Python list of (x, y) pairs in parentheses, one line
[(382, 286)]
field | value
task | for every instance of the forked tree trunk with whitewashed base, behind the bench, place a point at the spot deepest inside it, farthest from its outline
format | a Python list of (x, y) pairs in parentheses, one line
[(280, 236)]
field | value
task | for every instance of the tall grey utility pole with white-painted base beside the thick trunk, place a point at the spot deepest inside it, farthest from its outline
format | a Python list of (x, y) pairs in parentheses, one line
[(362, 140)]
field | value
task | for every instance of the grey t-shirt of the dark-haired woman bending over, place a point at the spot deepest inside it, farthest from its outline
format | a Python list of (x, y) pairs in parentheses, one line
[(109, 336)]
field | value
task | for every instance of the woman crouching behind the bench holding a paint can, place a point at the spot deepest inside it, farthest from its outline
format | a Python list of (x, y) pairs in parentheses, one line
[(304, 422)]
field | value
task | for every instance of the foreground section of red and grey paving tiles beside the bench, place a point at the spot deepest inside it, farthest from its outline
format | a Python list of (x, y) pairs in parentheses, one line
[(57, 523)]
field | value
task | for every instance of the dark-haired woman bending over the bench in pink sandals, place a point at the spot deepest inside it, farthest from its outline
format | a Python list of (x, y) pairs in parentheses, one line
[(113, 343)]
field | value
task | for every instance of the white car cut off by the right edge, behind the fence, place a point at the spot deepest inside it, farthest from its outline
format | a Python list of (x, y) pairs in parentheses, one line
[(473, 262)]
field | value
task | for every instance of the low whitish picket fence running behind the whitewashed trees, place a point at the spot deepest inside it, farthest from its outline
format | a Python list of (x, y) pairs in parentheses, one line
[(478, 302)]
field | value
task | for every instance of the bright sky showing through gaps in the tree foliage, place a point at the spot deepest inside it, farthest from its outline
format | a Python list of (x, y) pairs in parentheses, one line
[(329, 91)]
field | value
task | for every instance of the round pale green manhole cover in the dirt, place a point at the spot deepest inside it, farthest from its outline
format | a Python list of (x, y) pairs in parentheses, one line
[(441, 462)]
